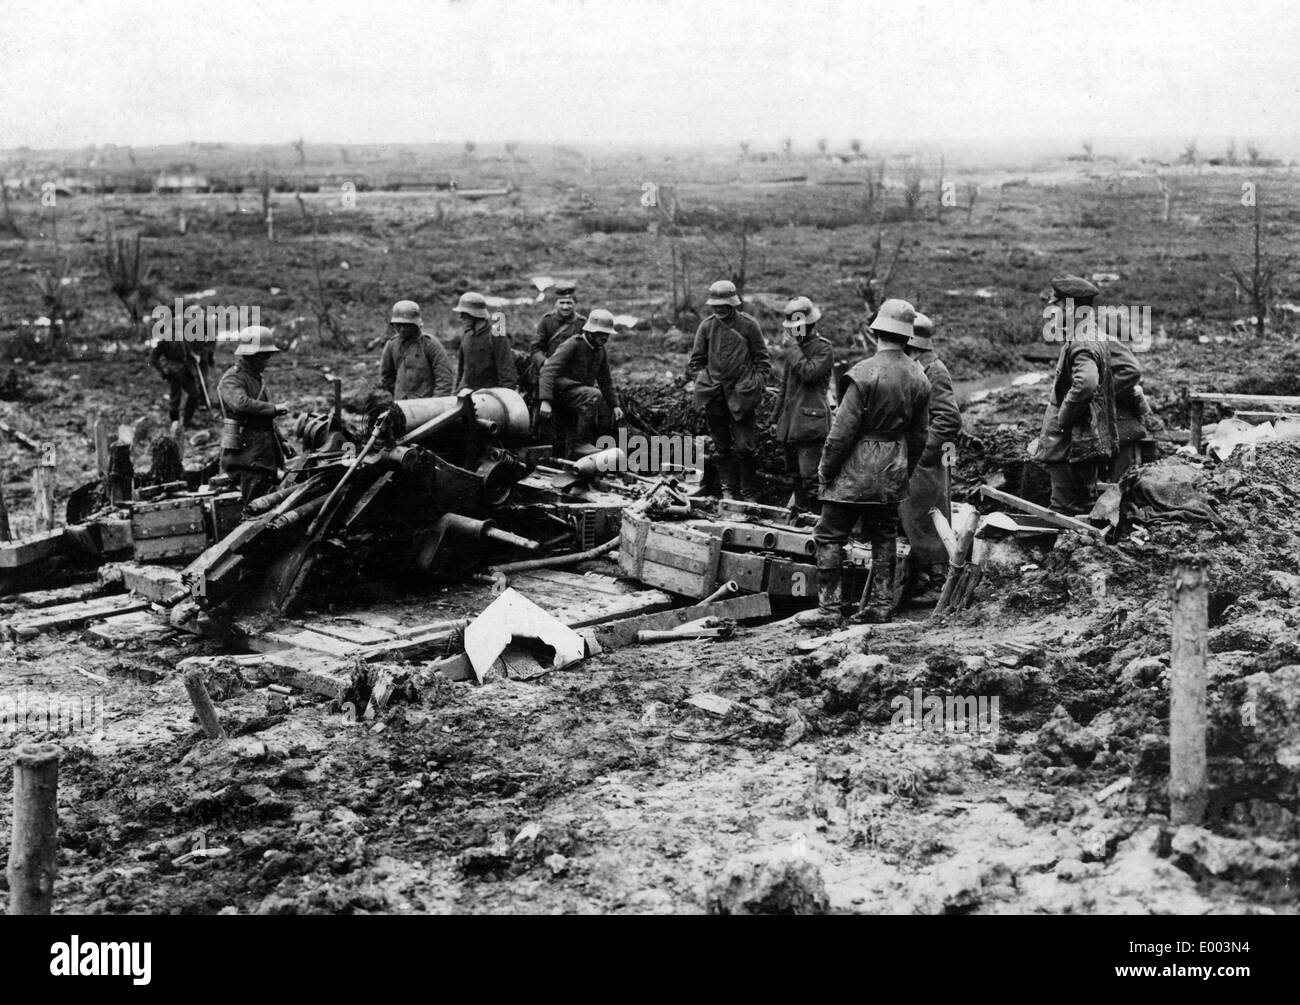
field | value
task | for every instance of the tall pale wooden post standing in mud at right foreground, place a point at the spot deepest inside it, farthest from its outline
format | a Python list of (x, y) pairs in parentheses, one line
[(1190, 591)]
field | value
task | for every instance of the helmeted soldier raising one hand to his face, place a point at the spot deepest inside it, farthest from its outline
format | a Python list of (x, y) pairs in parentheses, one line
[(801, 410)]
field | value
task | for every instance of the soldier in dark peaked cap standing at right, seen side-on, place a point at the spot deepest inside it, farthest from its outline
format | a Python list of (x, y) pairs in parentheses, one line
[(1078, 440)]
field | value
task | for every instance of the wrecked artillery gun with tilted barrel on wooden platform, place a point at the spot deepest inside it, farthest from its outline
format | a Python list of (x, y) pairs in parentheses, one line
[(430, 473)]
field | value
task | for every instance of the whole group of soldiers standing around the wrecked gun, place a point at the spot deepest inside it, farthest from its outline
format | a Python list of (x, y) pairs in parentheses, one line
[(870, 457)]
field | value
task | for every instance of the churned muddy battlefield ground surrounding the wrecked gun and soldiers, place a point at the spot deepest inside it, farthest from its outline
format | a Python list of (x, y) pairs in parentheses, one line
[(600, 789)]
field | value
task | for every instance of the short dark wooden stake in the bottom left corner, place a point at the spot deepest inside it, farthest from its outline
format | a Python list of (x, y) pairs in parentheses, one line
[(36, 829)]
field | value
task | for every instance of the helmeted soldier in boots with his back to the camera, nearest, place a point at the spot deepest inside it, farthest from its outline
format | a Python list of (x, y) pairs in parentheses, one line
[(876, 444)]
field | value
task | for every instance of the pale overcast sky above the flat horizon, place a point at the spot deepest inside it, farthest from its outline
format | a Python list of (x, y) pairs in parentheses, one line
[(140, 72)]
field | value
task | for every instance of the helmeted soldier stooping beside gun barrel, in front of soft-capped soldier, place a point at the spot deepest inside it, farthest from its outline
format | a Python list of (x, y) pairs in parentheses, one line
[(577, 379)]
